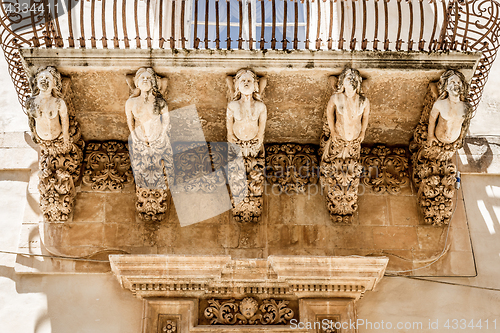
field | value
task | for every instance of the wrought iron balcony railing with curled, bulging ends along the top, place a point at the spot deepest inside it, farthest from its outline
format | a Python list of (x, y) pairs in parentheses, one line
[(386, 25)]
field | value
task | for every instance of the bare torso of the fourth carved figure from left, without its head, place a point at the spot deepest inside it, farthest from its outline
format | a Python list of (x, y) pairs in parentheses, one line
[(348, 114)]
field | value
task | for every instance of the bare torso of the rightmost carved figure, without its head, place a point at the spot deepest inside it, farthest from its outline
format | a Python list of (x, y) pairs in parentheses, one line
[(450, 120)]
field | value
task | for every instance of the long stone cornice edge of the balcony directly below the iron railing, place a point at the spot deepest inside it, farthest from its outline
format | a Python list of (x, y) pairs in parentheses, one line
[(74, 59)]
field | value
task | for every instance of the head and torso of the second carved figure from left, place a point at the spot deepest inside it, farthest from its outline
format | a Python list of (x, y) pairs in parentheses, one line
[(146, 108)]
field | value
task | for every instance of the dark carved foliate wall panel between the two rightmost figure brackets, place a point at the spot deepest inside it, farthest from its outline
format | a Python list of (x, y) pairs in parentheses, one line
[(386, 169)]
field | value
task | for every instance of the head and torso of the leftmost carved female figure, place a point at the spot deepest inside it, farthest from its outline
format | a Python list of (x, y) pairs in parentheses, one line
[(47, 110)]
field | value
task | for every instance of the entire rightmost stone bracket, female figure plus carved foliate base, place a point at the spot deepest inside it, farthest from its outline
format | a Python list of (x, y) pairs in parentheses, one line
[(445, 120)]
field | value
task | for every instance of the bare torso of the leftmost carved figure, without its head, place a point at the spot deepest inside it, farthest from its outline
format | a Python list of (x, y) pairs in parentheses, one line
[(46, 111)]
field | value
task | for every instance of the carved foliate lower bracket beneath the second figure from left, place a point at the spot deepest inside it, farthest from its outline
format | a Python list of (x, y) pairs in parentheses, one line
[(151, 163)]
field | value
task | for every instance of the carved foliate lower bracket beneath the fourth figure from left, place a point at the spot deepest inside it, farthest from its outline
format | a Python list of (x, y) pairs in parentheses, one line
[(340, 175)]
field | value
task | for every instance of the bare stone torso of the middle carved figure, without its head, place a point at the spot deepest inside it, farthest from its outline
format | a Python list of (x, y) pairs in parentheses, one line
[(246, 118)]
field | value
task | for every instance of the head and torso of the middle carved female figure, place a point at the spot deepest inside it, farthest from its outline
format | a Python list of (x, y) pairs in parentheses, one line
[(246, 113)]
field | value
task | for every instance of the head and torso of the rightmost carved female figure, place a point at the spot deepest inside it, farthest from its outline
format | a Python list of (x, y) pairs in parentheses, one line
[(449, 111)]
